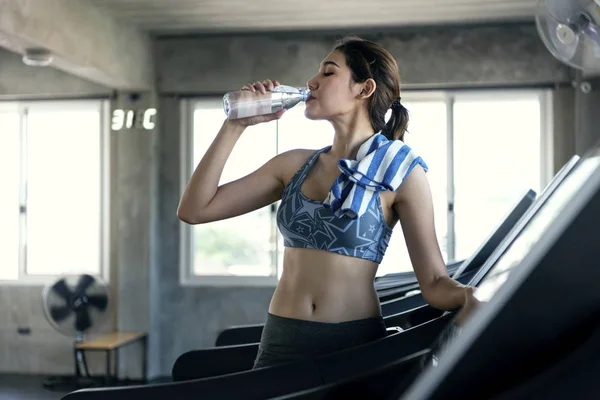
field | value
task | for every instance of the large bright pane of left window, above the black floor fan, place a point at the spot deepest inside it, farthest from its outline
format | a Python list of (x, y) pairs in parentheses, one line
[(63, 191)]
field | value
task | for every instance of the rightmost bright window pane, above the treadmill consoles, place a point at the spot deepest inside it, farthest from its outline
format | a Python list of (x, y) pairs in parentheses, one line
[(497, 158)]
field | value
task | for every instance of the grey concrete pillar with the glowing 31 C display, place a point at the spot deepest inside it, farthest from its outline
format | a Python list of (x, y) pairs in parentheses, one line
[(134, 171)]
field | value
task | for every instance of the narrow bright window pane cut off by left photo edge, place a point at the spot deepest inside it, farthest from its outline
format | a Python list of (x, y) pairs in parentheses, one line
[(9, 200)]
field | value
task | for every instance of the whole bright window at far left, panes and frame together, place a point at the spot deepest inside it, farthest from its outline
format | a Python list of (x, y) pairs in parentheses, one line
[(52, 156)]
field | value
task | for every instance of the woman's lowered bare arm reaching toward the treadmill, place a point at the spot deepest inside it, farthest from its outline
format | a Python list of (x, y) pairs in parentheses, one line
[(414, 206)]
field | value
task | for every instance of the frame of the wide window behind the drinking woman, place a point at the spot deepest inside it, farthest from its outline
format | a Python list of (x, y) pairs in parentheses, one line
[(449, 97)]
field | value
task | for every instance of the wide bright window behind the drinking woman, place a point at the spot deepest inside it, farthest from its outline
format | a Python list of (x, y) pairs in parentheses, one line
[(473, 183)]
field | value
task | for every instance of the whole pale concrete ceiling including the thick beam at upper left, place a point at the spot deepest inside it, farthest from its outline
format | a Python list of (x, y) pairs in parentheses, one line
[(109, 41)]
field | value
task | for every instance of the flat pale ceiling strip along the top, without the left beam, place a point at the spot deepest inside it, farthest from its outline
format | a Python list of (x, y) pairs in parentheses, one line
[(221, 16)]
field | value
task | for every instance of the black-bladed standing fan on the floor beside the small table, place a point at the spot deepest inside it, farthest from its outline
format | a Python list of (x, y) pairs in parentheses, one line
[(75, 306)]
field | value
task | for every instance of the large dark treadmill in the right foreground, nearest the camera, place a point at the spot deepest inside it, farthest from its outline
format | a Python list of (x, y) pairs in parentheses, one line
[(537, 332)]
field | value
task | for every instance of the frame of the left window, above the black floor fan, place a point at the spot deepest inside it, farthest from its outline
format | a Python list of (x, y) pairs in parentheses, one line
[(22, 108)]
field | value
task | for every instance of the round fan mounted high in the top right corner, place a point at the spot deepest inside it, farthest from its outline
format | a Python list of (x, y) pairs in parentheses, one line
[(570, 29)]
